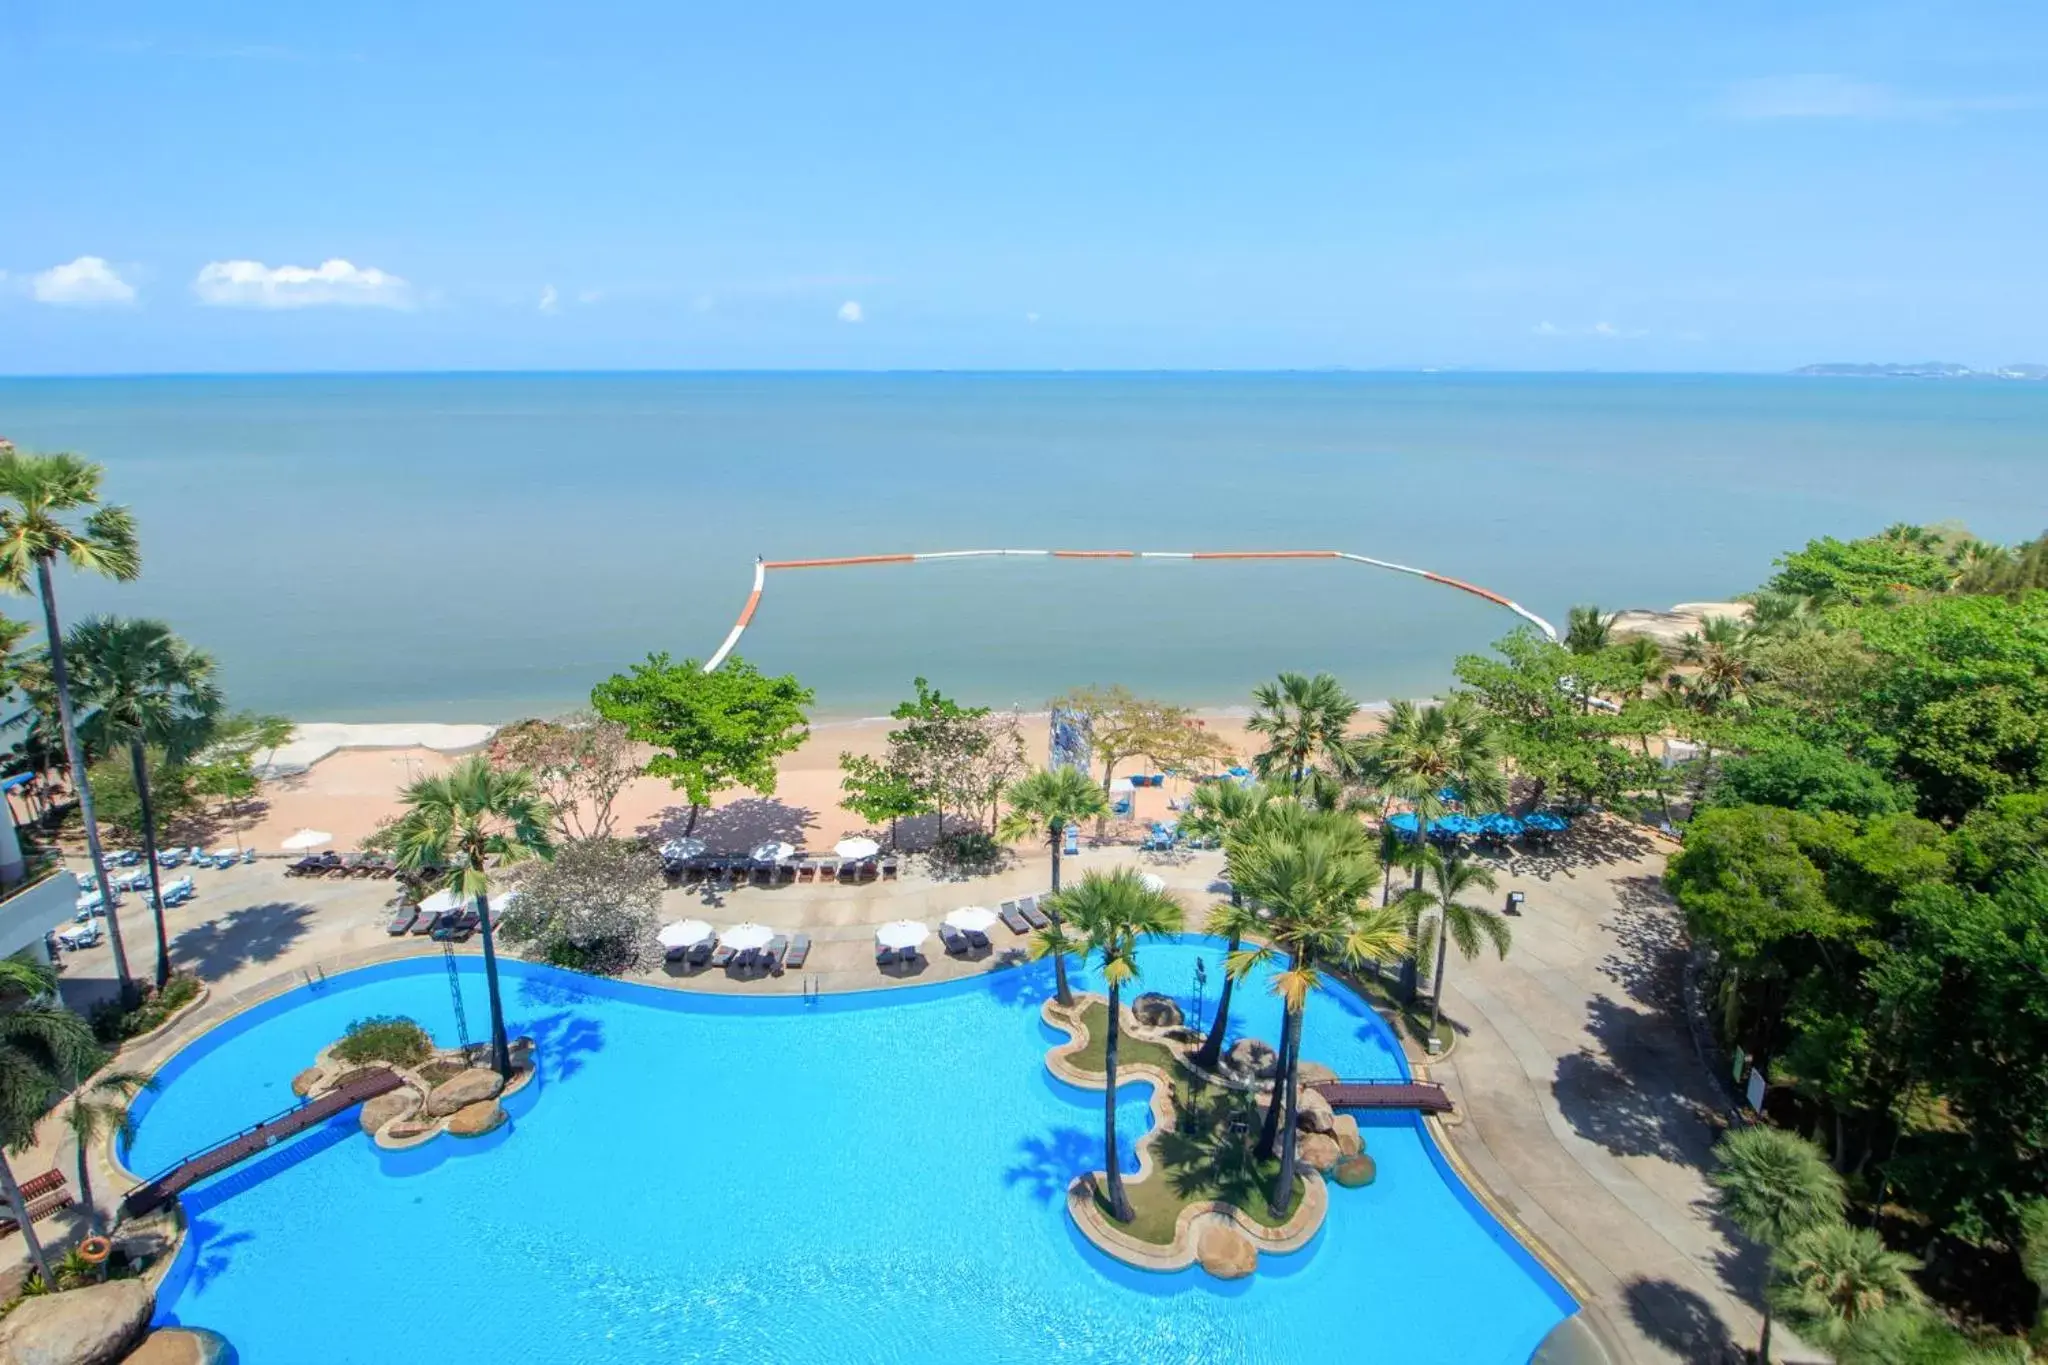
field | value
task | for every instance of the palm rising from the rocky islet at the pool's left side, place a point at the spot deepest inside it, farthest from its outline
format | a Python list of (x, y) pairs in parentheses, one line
[(472, 822)]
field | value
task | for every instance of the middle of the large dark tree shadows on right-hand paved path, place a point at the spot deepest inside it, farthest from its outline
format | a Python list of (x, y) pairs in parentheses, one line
[(1635, 1092)]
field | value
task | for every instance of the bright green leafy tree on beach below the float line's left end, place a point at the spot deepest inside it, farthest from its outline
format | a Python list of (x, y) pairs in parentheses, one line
[(716, 730)]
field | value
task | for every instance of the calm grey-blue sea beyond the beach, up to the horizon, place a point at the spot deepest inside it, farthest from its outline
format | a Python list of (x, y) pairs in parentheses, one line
[(478, 547)]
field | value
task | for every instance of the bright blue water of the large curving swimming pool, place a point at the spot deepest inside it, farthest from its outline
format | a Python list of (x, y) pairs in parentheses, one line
[(873, 1178)]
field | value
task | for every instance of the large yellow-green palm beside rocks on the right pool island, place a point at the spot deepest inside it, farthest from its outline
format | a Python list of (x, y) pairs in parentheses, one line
[(1312, 873)]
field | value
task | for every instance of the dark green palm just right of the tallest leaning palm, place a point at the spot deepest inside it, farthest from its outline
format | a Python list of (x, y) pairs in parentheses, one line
[(142, 687)]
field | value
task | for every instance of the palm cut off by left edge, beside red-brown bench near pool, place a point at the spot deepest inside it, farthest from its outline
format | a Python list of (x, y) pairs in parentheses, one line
[(40, 1041)]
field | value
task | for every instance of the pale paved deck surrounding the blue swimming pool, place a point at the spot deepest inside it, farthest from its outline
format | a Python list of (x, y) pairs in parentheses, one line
[(1582, 1104)]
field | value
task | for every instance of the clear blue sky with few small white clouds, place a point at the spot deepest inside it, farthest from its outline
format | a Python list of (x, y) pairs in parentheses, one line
[(278, 187)]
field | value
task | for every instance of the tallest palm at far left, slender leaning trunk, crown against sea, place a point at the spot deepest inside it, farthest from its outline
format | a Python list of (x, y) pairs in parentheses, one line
[(36, 492)]
